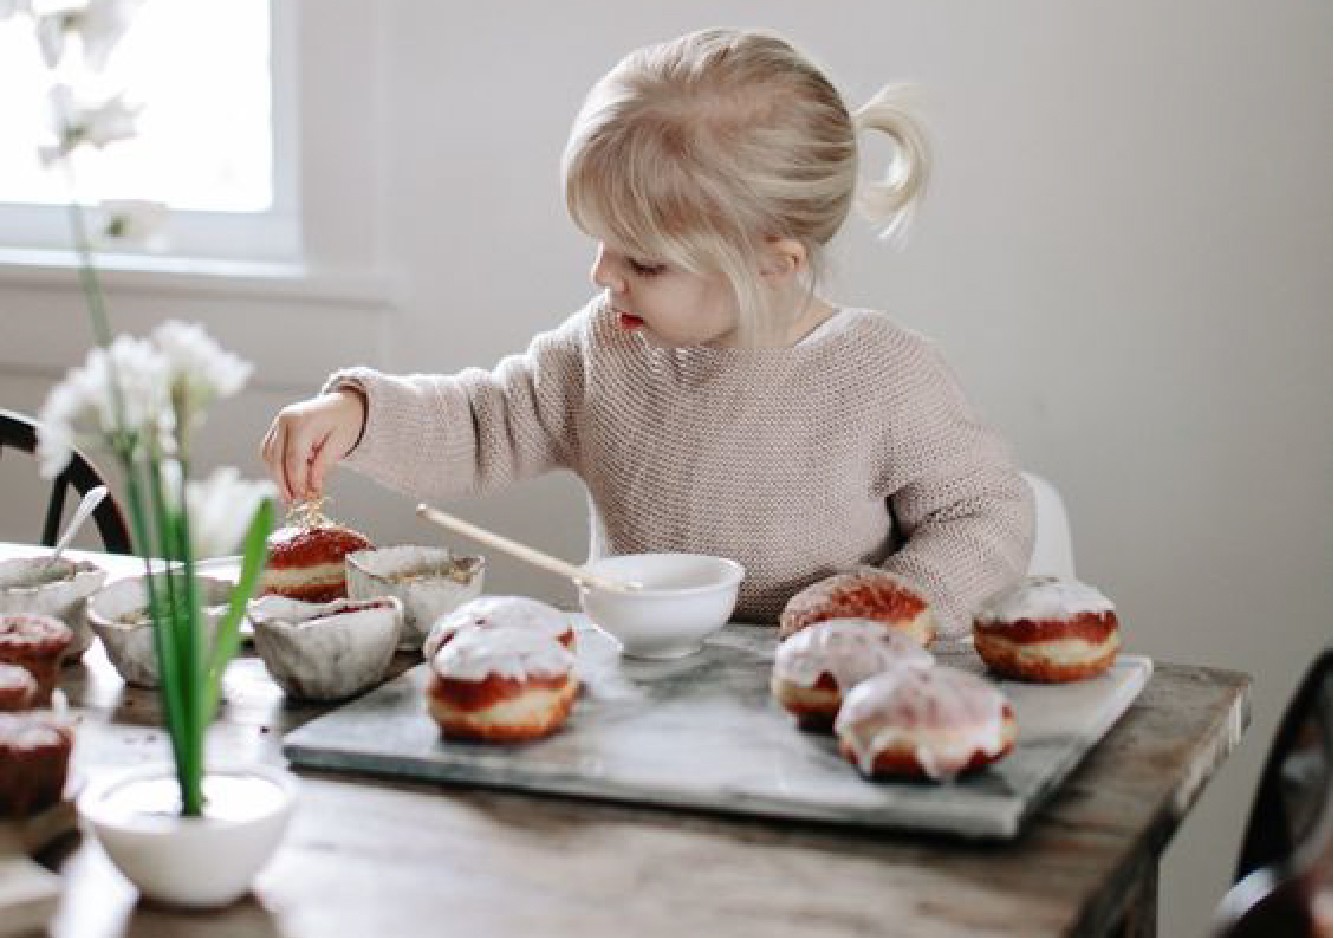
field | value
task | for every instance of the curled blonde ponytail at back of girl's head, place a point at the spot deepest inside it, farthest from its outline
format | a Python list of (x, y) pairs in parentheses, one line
[(890, 202)]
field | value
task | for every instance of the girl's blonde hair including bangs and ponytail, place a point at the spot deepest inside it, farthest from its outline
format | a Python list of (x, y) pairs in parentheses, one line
[(697, 151)]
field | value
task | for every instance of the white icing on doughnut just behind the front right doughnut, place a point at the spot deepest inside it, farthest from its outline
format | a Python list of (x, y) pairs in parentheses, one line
[(849, 650)]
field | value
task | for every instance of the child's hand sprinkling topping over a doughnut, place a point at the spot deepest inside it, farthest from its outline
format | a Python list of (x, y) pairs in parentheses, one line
[(310, 437)]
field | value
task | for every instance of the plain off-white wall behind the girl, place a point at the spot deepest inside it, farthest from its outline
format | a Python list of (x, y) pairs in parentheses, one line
[(1127, 254)]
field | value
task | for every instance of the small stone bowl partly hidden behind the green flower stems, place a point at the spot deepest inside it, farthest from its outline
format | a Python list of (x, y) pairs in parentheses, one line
[(119, 614)]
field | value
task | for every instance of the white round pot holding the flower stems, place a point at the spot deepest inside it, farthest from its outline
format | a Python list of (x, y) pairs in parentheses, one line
[(194, 863)]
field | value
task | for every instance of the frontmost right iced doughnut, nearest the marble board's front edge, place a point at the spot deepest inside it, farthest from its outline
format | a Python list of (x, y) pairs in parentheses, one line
[(925, 724)]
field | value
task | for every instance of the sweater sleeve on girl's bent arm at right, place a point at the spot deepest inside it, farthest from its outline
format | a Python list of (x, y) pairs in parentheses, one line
[(964, 512)]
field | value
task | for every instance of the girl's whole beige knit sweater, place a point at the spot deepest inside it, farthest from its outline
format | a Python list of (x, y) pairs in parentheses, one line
[(853, 448)]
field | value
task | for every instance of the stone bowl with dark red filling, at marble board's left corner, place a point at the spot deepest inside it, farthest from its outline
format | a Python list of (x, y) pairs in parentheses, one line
[(326, 652)]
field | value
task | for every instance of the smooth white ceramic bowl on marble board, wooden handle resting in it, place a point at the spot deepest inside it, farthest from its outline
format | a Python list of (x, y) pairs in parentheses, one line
[(686, 598)]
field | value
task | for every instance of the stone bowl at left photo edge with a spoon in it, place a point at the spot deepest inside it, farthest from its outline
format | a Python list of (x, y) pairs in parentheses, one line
[(61, 590)]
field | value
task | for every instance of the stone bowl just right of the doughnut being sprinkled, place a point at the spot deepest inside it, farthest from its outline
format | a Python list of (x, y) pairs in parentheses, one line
[(429, 581)]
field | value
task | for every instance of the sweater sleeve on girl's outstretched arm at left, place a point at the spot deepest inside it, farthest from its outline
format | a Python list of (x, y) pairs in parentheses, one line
[(477, 432)]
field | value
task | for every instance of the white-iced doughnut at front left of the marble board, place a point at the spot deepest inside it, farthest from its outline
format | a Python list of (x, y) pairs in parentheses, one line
[(501, 685)]
